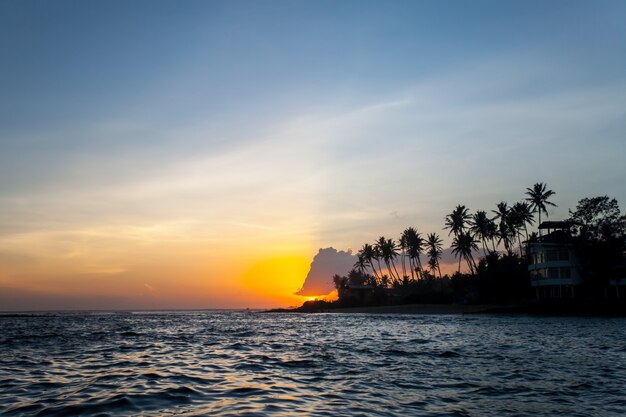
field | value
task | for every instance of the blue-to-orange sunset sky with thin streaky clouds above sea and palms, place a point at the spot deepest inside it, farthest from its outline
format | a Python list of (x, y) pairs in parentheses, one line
[(198, 154)]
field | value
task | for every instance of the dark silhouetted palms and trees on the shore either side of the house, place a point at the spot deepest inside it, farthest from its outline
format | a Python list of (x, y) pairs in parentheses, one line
[(407, 270)]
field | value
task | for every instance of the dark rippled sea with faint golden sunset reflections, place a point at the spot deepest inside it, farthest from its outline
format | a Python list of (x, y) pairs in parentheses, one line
[(236, 363)]
